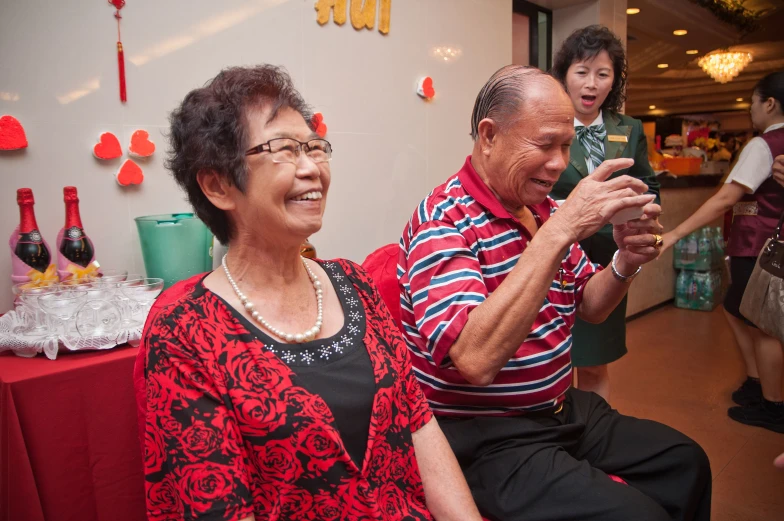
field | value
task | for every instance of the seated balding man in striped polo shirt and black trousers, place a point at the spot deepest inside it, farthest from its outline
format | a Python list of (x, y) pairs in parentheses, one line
[(492, 278)]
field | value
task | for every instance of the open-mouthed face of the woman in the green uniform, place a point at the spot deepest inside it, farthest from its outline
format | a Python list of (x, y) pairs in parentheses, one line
[(589, 82)]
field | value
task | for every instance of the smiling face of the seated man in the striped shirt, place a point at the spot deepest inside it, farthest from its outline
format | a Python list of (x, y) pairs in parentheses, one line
[(527, 159)]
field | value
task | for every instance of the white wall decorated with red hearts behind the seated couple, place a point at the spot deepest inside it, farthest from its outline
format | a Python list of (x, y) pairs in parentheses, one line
[(391, 147)]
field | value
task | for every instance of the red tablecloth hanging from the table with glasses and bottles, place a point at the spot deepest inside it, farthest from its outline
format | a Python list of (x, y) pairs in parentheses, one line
[(69, 444)]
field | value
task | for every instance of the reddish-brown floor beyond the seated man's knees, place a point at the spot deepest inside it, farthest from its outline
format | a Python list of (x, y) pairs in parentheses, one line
[(681, 368)]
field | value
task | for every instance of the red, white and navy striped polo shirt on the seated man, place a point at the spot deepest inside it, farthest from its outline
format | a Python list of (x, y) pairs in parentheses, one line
[(458, 247)]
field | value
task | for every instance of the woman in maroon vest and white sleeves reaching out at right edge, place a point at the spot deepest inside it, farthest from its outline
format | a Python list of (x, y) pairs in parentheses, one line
[(757, 201)]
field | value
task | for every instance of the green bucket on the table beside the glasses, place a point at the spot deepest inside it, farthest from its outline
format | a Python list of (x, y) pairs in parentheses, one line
[(175, 246)]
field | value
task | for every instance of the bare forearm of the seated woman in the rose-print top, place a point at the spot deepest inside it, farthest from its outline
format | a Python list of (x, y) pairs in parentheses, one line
[(446, 492)]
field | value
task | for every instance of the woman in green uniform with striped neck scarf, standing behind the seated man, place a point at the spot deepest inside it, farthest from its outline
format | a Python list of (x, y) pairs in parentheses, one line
[(592, 66)]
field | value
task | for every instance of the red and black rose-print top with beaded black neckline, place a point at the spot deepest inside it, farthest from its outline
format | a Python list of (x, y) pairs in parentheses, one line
[(234, 426)]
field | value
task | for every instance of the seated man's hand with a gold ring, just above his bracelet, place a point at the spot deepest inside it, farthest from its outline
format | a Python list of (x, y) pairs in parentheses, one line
[(636, 240)]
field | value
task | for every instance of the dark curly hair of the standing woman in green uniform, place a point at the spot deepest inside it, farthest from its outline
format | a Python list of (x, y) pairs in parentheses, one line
[(585, 44)]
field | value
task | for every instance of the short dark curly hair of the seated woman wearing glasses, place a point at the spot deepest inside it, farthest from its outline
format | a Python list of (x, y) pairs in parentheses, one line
[(209, 131)]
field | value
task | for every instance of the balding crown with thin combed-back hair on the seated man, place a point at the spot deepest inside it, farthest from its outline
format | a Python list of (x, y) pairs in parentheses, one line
[(503, 97)]
